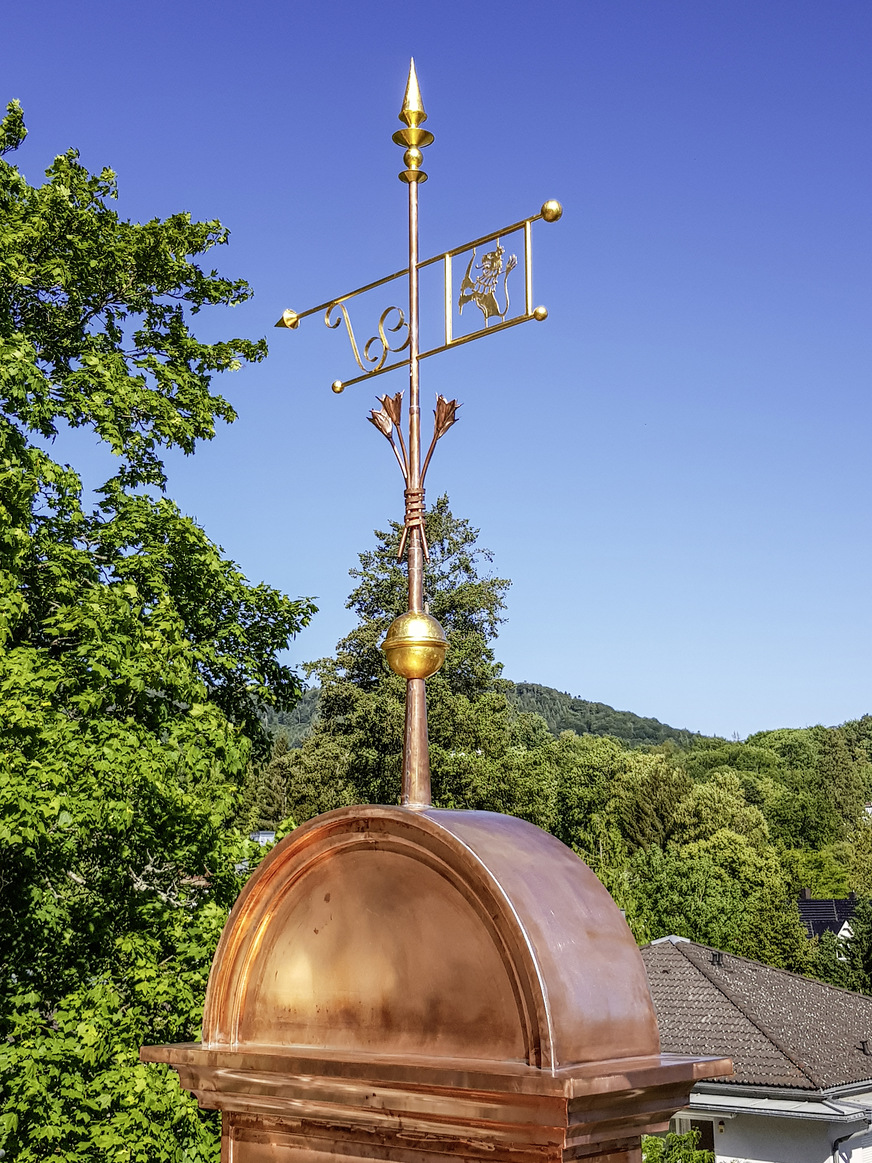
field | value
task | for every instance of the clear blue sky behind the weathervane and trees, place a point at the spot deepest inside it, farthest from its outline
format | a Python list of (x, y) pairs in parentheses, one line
[(675, 469)]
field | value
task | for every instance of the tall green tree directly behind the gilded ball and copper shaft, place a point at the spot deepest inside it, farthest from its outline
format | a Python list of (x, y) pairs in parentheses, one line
[(483, 753)]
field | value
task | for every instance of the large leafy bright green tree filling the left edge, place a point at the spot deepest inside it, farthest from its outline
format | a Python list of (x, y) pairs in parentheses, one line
[(133, 659)]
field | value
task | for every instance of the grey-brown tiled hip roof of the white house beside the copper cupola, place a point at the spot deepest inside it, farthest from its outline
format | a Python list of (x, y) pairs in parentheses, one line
[(780, 1029)]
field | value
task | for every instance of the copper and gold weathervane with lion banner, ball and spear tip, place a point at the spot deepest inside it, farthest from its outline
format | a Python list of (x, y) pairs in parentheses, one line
[(416, 644)]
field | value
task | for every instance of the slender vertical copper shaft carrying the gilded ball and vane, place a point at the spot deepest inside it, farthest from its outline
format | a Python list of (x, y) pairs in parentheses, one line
[(416, 751)]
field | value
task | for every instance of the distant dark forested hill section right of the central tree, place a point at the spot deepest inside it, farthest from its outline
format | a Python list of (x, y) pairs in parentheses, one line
[(563, 712)]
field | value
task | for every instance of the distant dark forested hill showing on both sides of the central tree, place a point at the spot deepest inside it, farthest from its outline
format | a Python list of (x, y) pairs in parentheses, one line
[(561, 712)]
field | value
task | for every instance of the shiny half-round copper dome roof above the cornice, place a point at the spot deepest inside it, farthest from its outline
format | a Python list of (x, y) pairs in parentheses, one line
[(449, 936)]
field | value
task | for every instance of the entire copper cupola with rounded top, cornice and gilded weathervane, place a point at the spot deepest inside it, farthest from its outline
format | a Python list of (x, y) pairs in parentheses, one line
[(409, 984)]
